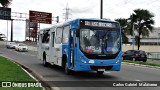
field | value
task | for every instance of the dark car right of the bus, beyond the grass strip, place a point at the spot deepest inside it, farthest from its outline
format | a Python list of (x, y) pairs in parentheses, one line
[(137, 55)]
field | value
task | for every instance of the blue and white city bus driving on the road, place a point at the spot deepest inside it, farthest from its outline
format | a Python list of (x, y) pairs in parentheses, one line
[(82, 45)]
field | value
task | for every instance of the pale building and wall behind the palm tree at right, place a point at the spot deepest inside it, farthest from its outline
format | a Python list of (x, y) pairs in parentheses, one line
[(150, 44)]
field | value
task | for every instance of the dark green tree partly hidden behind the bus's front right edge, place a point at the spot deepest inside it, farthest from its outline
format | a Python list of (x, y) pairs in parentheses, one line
[(124, 25)]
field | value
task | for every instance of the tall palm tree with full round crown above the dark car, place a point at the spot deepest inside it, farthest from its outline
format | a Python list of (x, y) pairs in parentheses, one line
[(142, 21)]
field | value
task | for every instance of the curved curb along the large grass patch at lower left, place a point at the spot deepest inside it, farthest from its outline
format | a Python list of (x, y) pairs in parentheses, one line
[(33, 73)]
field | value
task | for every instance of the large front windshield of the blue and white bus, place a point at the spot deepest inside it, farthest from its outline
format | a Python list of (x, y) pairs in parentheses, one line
[(99, 41)]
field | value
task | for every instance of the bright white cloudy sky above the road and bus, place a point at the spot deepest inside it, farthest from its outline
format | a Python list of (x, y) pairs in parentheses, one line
[(112, 9)]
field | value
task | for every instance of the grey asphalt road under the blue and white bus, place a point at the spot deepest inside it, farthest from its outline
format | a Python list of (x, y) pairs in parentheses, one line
[(56, 74)]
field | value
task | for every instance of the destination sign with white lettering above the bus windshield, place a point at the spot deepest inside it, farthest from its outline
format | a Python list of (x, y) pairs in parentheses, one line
[(98, 24)]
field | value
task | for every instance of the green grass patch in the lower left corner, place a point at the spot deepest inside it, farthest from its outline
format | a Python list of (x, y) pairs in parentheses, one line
[(11, 72)]
